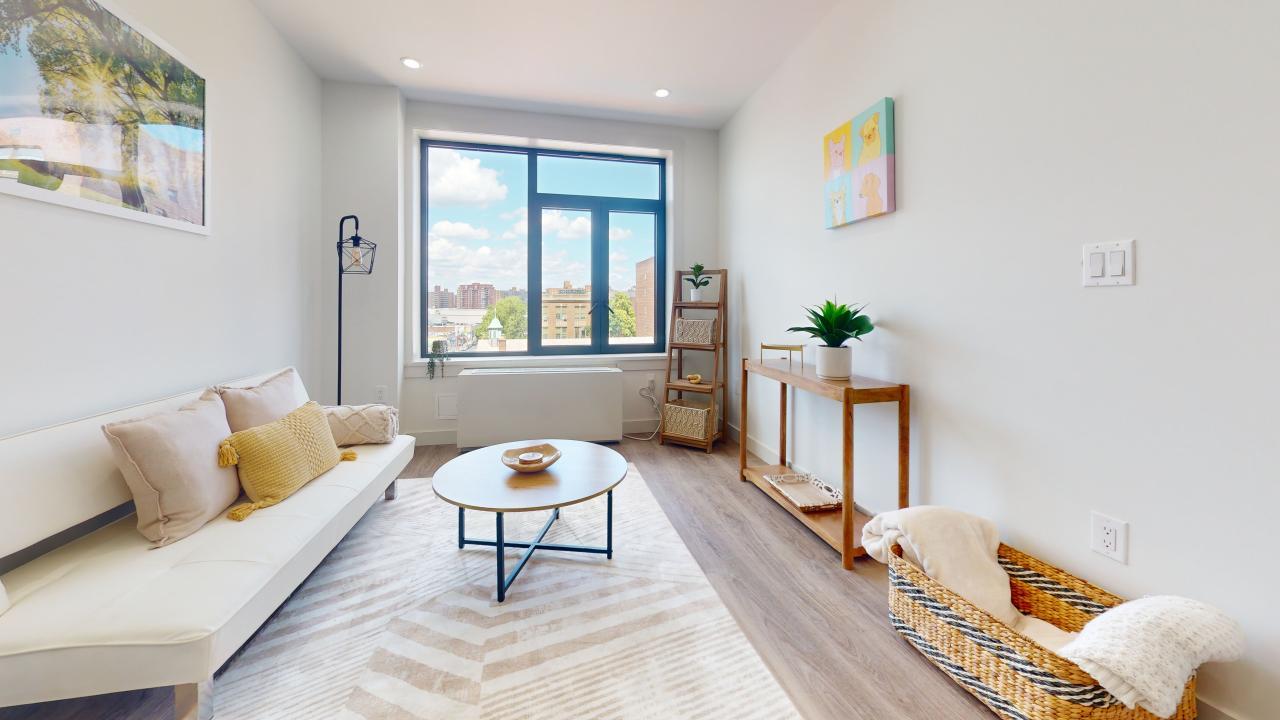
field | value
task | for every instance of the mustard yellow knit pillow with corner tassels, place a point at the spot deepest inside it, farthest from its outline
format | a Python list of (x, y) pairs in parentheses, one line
[(277, 459)]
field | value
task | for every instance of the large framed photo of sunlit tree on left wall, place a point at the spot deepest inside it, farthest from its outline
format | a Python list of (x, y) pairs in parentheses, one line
[(95, 115)]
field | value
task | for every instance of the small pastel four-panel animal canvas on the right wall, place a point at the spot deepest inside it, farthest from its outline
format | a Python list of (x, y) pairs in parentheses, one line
[(858, 167)]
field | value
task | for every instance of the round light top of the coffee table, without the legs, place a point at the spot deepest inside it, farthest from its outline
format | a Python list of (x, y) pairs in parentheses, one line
[(479, 481)]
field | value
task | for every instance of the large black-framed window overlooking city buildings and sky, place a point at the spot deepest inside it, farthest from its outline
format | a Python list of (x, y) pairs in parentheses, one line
[(531, 252)]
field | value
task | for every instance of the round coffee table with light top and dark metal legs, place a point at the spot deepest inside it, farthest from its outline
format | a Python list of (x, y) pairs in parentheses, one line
[(479, 481)]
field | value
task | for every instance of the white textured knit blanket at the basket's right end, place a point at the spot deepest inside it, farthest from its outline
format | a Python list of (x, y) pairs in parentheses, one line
[(1145, 651)]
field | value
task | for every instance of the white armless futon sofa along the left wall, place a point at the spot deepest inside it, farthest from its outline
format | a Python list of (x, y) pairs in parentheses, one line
[(108, 612)]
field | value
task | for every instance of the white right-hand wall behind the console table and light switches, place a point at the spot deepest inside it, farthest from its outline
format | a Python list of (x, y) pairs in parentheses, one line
[(1026, 130)]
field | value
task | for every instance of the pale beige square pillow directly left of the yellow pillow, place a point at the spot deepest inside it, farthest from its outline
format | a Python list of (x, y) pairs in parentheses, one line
[(171, 464)]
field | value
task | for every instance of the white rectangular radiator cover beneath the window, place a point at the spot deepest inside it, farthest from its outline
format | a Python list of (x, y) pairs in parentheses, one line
[(509, 404)]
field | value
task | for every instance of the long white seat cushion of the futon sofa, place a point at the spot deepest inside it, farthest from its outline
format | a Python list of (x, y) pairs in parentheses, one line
[(109, 612)]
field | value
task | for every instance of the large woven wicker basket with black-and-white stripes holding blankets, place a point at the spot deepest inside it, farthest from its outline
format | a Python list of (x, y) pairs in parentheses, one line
[(1011, 675)]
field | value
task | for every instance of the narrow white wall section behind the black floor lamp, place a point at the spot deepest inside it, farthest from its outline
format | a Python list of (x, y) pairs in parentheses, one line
[(363, 176)]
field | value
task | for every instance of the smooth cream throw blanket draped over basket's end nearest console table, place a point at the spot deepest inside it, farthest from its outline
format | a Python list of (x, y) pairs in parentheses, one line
[(959, 552)]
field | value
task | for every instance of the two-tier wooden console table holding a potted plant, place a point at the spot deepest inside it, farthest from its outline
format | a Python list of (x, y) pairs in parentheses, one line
[(842, 528)]
